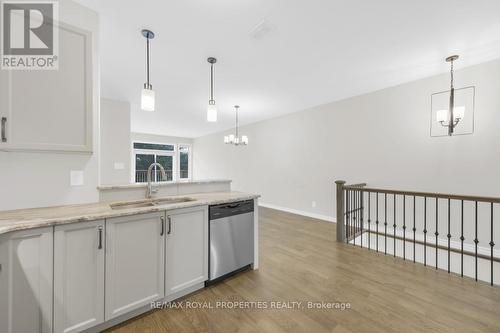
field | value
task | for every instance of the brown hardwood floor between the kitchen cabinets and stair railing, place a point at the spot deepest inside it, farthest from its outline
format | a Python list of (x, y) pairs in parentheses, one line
[(300, 261)]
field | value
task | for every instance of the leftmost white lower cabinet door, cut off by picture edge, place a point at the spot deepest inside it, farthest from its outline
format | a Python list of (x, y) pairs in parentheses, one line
[(26, 281)]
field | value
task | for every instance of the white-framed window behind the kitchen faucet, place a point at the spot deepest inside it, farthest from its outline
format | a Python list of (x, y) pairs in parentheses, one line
[(171, 157)]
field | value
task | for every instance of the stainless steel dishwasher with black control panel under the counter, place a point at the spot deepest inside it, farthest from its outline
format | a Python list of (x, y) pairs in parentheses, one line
[(231, 239)]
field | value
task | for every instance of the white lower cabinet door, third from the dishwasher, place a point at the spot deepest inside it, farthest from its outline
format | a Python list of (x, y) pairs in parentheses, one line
[(78, 276)]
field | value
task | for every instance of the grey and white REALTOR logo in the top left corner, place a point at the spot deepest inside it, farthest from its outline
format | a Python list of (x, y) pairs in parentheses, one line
[(29, 35)]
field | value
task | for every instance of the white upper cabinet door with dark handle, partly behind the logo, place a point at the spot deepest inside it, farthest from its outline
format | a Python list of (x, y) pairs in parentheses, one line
[(51, 110)]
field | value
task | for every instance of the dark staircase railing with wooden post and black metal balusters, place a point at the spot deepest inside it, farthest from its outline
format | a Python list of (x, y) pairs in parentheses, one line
[(408, 224)]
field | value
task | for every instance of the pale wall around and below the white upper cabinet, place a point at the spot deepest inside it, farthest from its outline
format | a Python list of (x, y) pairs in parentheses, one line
[(43, 179)]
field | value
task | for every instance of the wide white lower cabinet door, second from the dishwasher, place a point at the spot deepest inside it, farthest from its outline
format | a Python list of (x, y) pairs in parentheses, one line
[(135, 262)]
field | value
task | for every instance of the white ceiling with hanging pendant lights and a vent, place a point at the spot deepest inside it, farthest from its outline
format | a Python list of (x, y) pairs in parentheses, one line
[(315, 52)]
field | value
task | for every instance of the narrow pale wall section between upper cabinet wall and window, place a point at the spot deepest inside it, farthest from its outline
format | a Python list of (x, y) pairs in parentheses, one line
[(115, 142)]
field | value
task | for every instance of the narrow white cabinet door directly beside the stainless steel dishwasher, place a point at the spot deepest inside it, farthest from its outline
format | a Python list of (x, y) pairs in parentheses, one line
[(186, 248)]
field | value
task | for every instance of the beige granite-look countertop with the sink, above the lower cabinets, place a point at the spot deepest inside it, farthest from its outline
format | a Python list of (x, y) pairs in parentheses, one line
[(22, 219)]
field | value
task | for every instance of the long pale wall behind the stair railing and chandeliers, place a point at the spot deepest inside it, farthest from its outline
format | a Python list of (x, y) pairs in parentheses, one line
[(382, 138)]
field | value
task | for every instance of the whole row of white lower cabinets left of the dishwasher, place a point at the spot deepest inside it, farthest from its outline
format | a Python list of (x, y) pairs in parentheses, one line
[(73, 277)]
